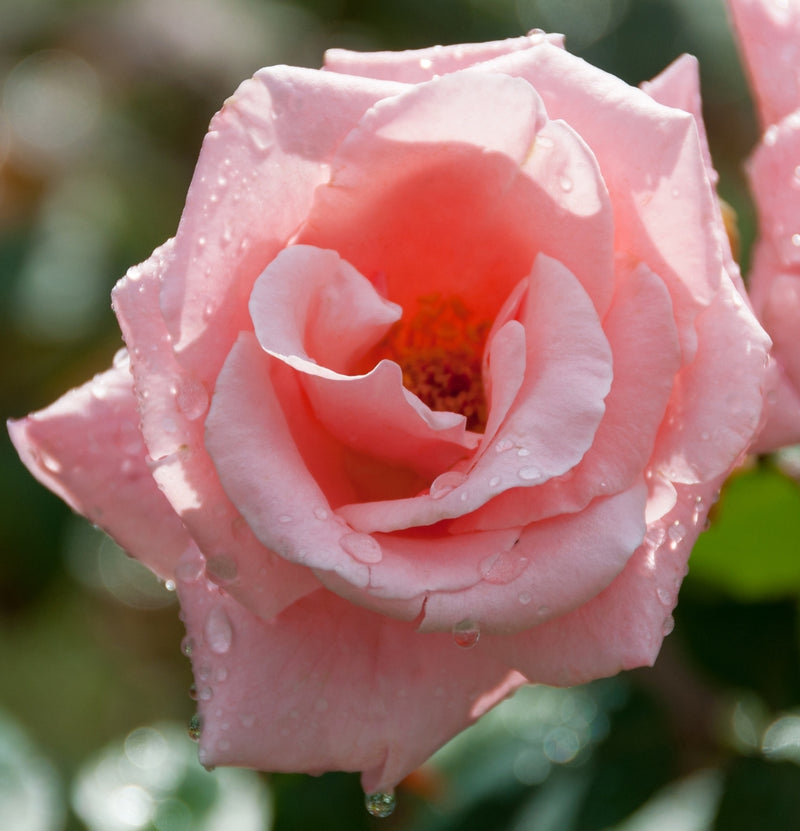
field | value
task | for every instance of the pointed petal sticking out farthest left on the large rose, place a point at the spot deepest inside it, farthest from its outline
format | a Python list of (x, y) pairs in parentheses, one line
[(86, 447)]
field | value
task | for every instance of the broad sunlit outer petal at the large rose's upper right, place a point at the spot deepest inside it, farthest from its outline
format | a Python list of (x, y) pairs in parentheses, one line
[(652, 164)]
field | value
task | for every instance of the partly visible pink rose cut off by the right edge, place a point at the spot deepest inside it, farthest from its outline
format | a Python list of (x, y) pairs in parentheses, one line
[(769, 36)]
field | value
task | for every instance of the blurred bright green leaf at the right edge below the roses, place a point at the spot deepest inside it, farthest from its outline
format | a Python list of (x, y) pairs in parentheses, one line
[(752, 550)]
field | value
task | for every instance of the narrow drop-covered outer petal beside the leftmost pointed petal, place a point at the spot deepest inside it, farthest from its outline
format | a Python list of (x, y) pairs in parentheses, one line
[(171, 406)]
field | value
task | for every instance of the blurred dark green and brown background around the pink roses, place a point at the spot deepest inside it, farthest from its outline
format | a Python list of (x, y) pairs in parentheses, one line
[(103, 106)]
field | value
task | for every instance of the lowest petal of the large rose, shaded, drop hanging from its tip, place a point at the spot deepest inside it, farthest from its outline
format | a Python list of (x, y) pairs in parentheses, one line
[(329, 686)]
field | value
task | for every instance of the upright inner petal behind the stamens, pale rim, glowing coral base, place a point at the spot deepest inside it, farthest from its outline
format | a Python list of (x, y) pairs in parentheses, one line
[(497, 198)]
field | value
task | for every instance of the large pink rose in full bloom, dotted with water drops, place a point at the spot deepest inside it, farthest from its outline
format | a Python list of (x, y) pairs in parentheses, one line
[(429, 396)]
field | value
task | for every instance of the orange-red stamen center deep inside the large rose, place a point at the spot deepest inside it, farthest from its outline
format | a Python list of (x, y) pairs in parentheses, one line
[(440, 348)]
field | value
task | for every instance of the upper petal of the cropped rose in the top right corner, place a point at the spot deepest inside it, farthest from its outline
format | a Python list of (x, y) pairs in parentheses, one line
[(769, 36)]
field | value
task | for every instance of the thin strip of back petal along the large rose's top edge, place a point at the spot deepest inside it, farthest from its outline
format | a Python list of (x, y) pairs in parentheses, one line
[(417, 65)]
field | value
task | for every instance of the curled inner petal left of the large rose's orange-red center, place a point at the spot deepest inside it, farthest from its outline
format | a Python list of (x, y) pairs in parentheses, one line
[(372, 414)]
